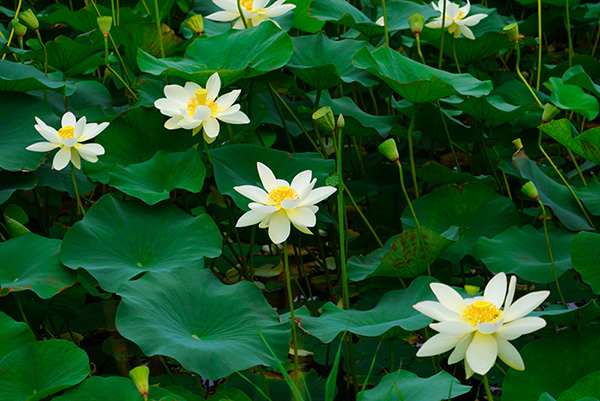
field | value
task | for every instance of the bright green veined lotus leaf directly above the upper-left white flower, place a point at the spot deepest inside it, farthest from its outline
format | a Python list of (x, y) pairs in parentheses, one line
[(241, 53)]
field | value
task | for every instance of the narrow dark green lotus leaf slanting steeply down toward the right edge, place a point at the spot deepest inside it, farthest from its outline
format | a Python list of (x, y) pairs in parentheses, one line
[(551, 193)]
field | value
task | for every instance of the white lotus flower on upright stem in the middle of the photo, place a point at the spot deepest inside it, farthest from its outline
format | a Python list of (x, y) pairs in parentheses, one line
[(282, 203)]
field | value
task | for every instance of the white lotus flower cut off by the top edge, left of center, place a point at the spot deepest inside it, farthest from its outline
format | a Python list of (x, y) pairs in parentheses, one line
[(255, 11)]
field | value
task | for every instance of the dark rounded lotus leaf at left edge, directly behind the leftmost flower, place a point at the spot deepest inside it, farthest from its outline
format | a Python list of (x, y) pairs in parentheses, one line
[(17, 118)]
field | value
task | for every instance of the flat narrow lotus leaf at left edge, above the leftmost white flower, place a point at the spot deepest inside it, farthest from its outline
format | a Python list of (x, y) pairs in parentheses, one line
[(17, 77)]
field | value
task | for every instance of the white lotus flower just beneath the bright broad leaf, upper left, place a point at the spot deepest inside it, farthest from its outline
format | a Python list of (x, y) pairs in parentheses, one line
[(193, 107)]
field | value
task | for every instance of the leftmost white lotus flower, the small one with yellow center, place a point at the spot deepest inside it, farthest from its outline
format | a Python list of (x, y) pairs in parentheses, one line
[(69, 139)]
